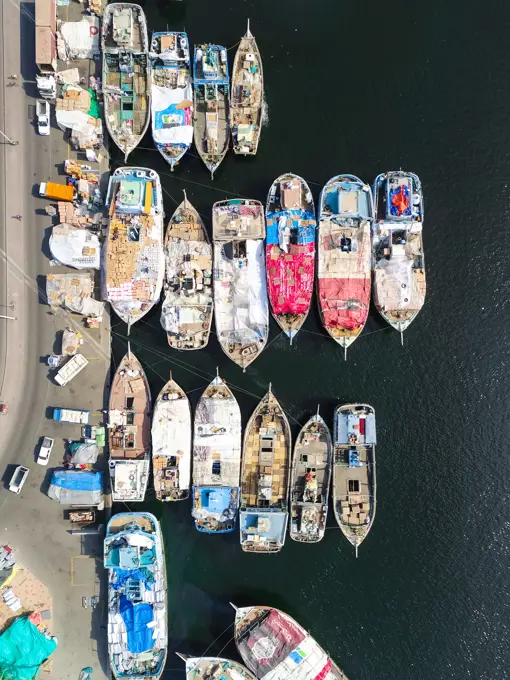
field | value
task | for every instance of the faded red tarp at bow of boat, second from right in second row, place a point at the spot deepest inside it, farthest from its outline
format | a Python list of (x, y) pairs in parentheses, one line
[(337, 293)]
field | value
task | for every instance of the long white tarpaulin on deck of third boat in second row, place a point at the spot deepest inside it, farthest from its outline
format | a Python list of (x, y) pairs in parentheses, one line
[(240, 293)]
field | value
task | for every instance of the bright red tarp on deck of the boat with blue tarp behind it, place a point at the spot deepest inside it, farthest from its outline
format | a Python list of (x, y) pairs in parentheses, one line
[(290, 278)]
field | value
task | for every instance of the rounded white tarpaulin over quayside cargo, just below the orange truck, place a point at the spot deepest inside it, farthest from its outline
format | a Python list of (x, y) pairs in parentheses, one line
[(78, 248)]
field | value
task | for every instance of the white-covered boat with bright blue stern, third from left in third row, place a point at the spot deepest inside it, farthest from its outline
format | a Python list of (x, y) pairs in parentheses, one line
[(216, 460)]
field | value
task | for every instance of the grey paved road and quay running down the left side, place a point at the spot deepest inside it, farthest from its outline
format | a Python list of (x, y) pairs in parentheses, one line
[(31, 522)]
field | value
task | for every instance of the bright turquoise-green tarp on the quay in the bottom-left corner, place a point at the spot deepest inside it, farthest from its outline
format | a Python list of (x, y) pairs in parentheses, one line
[(22, 650)]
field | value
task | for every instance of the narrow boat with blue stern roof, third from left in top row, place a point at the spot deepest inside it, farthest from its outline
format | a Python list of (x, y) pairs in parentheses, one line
[(211, 104)]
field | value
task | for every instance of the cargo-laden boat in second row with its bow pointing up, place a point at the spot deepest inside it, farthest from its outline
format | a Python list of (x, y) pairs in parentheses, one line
[(187, 309)]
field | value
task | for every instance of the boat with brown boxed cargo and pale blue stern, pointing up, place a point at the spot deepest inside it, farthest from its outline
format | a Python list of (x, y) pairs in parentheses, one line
[(265, 478)]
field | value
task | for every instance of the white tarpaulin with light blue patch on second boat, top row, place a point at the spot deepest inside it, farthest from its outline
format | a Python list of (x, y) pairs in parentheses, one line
[(171, 125)]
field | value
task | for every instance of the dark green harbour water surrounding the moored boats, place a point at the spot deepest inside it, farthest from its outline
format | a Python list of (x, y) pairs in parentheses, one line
[(364, 87)]
